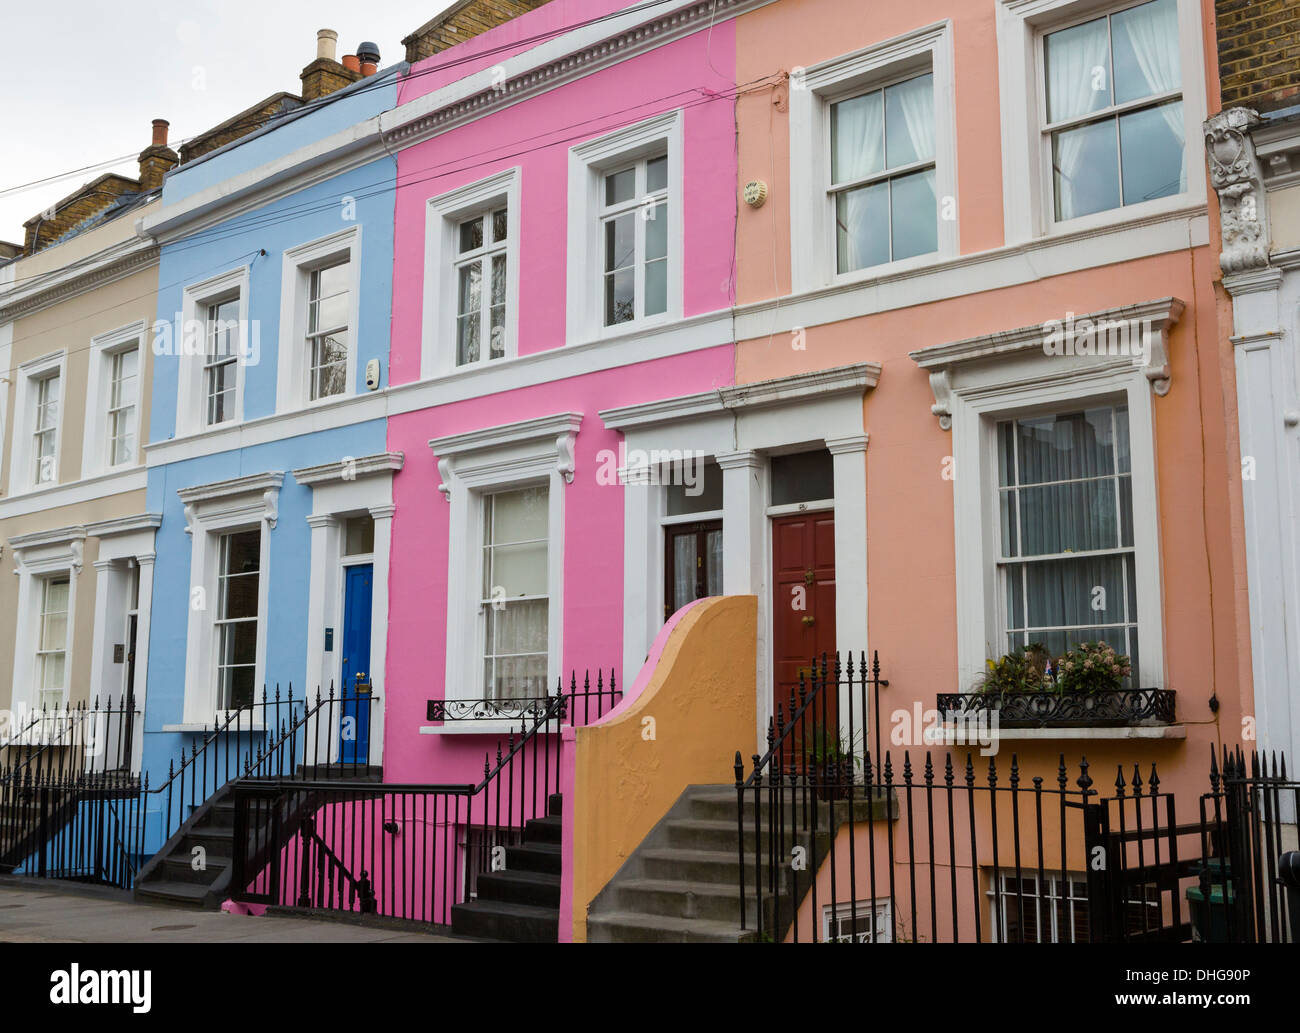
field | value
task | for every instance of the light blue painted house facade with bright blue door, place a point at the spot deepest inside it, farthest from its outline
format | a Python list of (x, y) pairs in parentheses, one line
[(266, 448)]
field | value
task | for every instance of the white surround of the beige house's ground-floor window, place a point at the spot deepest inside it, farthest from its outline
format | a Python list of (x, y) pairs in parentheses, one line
[(40, 557)]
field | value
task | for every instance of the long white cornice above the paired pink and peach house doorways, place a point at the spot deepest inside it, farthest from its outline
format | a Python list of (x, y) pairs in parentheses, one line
[(783, 390)]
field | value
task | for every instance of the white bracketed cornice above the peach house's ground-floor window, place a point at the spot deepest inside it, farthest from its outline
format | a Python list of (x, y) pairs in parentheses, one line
[(1155, 319)]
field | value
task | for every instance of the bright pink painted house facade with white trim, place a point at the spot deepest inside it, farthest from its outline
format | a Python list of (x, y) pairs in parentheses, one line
[(557, 255)]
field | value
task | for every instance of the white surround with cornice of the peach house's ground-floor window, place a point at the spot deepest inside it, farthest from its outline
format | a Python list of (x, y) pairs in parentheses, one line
[(982, 381)]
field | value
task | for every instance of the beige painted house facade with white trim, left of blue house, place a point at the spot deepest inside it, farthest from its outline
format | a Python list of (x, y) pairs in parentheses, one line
[(76, 359)]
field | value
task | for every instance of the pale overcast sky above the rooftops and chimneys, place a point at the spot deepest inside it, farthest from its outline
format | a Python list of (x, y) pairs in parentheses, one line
[(84, 80)]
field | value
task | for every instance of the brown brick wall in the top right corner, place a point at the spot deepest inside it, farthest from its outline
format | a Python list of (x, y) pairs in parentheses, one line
[(1259, 53)]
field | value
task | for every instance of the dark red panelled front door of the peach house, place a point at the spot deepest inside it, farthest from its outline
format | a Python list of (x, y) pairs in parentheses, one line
[(803, 597)]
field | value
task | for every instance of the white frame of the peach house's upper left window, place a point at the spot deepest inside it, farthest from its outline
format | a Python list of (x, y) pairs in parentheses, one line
[(813, 90)]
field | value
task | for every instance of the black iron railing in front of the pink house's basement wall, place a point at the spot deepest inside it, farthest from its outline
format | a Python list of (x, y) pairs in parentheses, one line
[(404, 852)]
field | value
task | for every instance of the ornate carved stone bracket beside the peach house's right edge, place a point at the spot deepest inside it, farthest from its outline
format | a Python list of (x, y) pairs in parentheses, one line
[(1238, 177)]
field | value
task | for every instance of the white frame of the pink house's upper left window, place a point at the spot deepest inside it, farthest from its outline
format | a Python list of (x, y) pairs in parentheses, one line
[(444, 215)]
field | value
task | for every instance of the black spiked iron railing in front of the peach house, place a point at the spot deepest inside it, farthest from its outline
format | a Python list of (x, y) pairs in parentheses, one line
[(918, 847)]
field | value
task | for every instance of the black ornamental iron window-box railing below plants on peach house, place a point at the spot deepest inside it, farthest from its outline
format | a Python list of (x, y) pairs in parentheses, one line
[(1117, 709)]
